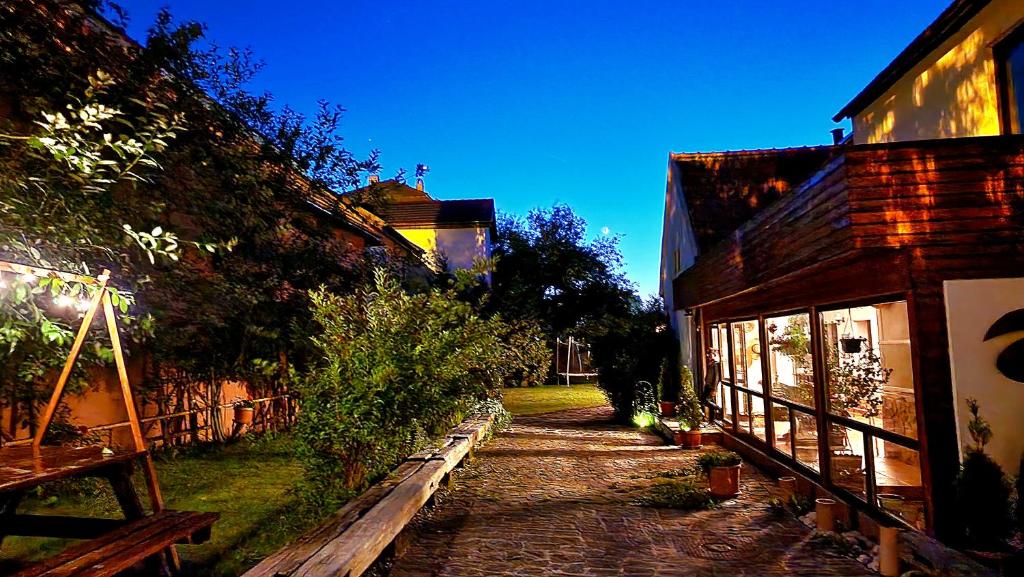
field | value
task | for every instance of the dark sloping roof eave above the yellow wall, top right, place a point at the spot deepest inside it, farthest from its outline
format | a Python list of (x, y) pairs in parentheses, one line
[(951, 21)]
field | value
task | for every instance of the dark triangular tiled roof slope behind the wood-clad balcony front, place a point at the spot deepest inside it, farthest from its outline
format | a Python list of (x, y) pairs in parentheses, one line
[(724, 190)]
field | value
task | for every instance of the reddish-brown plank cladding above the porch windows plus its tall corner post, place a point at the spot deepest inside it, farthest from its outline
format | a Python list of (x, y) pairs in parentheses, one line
[(881, 221)]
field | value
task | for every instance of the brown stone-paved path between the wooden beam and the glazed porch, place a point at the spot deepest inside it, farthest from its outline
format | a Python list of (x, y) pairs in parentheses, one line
[(554, 496)]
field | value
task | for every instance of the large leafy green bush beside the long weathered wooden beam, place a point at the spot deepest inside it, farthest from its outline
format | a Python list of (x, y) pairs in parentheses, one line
[(396, 367)]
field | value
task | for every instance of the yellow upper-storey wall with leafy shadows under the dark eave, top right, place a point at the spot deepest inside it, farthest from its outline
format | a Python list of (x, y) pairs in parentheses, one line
[(951, 94)]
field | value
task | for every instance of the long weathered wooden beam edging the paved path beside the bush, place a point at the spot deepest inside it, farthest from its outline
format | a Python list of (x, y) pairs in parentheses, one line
[(353, 540)]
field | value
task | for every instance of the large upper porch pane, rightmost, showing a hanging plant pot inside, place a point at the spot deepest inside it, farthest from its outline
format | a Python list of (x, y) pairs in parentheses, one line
[(869, 374)]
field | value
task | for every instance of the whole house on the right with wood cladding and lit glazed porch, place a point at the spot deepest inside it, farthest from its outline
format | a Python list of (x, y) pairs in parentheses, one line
[(838, 302)]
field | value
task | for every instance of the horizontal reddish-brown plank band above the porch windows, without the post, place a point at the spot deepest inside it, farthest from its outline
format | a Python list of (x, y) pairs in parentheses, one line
[(947, 201)]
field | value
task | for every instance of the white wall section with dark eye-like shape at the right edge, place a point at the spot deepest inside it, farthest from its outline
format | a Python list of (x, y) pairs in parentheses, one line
[(972, 307)]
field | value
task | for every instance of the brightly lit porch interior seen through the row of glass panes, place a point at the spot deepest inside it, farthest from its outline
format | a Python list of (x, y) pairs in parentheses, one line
[(867, 386)]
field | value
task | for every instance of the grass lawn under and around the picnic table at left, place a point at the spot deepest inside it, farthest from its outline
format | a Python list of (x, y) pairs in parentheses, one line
[(249, 483)]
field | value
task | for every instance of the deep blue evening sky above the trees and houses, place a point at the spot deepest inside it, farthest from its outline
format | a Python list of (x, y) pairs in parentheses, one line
[(536, 103)]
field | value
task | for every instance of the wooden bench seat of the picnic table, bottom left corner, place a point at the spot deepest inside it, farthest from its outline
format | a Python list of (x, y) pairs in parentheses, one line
[(121, 549)]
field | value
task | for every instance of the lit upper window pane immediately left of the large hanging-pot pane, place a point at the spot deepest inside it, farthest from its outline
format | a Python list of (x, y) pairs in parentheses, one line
[(790, 364)]
